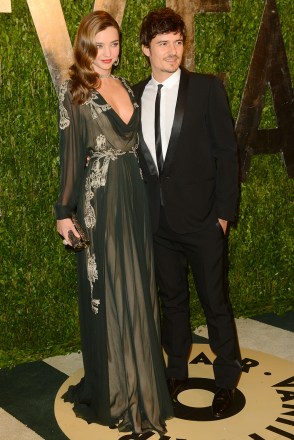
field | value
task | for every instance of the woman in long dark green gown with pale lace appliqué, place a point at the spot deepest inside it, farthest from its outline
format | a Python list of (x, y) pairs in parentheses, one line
[(124, 382)]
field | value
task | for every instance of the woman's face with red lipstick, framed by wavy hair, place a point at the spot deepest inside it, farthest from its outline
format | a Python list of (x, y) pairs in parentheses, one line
[(107, 43)]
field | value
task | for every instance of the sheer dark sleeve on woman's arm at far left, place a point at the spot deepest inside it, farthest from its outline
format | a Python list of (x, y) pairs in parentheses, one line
[(72, 155)]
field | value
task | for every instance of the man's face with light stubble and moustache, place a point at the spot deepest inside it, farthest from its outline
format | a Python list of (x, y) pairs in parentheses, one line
[(165, 54)]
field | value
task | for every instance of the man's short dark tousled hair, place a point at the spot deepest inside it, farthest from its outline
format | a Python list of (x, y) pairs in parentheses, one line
[(161, 21)]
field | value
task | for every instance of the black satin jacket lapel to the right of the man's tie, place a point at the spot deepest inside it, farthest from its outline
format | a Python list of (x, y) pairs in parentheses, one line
[(178, 119)]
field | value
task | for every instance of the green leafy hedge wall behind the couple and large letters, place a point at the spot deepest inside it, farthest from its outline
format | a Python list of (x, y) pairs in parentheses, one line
[(38, 298)]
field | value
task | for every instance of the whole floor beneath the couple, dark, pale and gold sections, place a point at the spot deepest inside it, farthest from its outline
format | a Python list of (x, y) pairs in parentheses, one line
[(31, 407)]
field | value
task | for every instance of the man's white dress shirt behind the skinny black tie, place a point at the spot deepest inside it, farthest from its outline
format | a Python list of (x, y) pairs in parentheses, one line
[(169, 94)]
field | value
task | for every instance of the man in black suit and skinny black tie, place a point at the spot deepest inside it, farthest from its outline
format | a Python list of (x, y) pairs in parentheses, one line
[(188, 157)]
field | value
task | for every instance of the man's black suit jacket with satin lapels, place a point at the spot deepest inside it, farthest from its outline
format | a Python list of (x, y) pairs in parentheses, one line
[(199, 182)]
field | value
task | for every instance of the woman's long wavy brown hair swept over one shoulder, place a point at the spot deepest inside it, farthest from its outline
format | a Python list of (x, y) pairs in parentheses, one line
[(83, 76)]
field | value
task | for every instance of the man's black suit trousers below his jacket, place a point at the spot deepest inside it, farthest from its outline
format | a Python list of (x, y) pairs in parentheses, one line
[(205, 252)]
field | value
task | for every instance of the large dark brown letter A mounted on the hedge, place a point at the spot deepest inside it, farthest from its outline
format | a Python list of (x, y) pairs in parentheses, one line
[(268, 68)]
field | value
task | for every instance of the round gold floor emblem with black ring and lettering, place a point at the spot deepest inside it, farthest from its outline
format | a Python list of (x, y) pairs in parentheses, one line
[(263, 410)]
